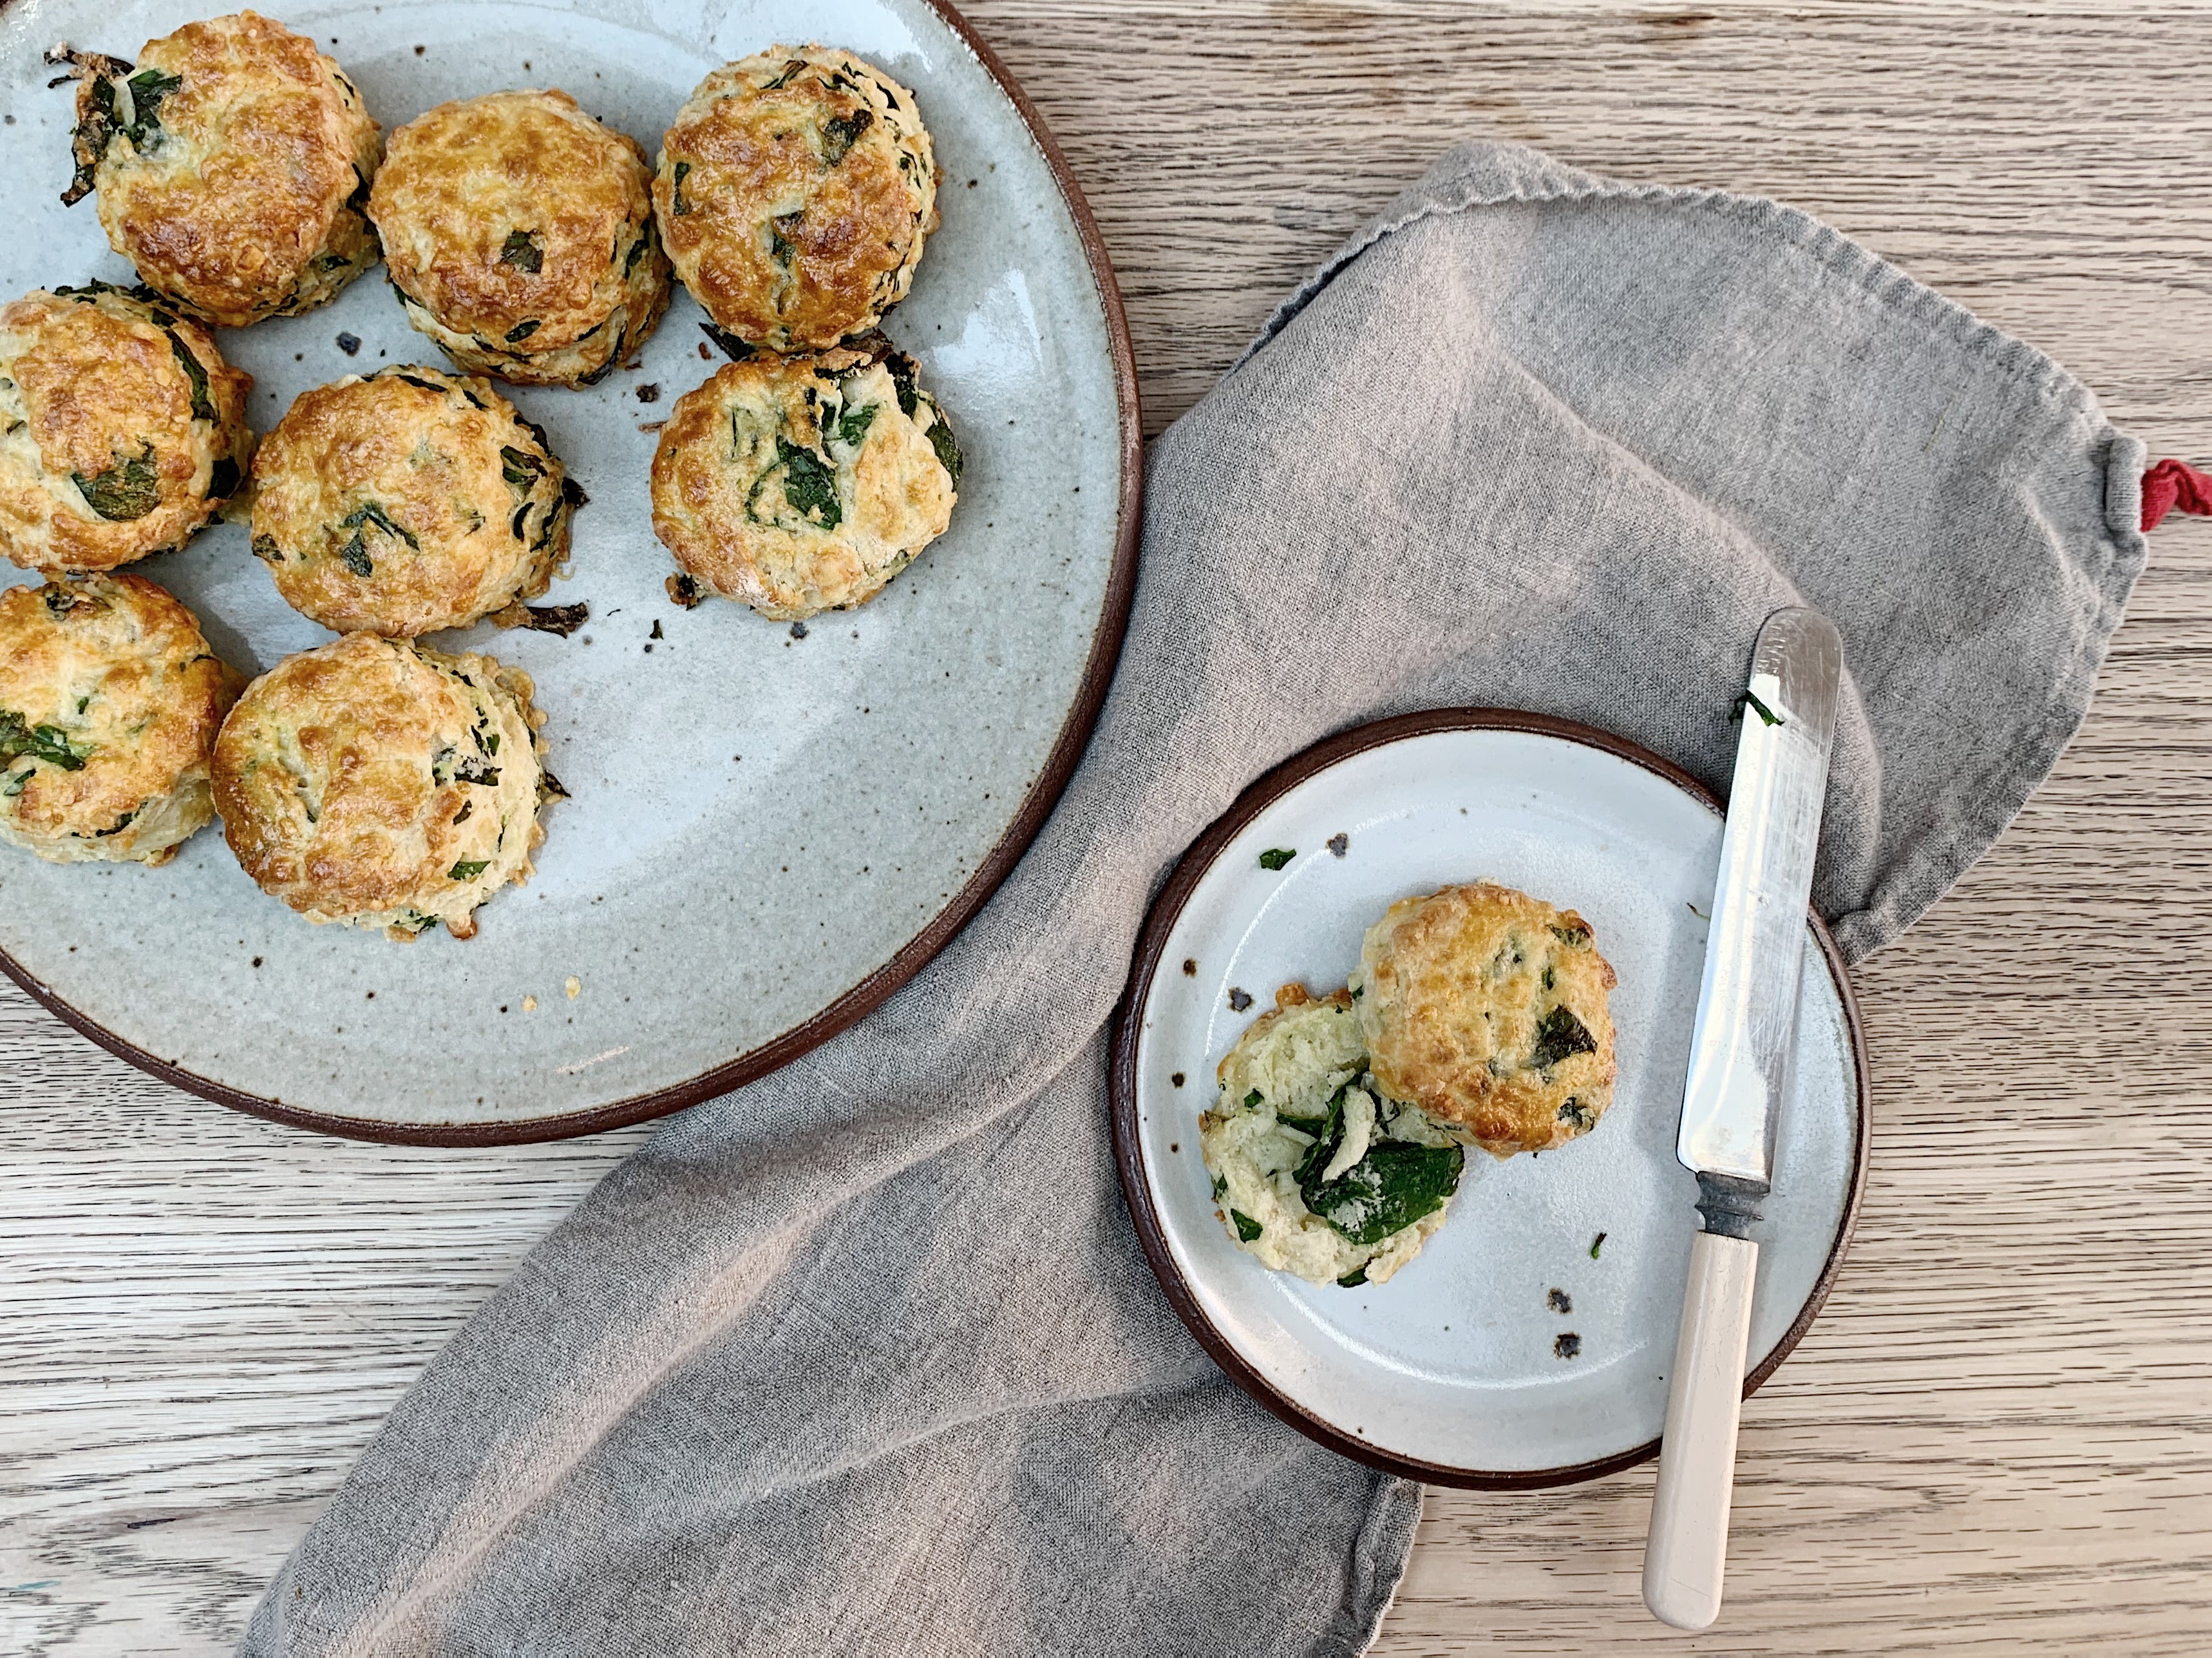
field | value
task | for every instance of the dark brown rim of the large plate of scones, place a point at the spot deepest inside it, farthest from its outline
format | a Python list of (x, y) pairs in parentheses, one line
[(941, 931)]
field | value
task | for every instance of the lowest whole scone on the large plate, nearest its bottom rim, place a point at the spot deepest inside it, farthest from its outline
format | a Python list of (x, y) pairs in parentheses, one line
[(384, 785)]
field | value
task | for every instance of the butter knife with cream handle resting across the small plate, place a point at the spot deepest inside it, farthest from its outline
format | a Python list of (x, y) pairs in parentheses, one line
[(1740, 1061)]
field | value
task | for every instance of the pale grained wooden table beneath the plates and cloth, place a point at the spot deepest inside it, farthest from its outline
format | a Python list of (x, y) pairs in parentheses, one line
[(2001, 1433)]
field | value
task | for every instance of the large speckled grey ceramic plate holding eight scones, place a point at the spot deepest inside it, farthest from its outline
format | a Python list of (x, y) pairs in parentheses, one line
[(766, 833)]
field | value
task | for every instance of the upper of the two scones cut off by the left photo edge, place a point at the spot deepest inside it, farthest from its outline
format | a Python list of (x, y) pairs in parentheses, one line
[(121, 428)]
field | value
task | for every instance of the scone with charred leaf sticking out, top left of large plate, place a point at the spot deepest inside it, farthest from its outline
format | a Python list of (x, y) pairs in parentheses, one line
[(233, 167)]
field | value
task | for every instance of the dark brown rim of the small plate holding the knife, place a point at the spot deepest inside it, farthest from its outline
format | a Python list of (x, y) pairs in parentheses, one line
[(1123, 1084)]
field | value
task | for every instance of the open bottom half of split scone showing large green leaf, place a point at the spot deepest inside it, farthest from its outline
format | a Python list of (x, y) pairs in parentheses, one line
[(1315, 1172)]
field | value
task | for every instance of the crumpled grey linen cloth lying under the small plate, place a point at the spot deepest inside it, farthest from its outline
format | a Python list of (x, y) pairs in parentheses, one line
[(866, 1358)]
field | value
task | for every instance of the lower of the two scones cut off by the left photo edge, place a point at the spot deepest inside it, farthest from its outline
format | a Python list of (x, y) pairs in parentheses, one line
[(109, 701)]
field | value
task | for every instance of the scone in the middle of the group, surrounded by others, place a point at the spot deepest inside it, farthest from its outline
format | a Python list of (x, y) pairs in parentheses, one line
[(408, 501)]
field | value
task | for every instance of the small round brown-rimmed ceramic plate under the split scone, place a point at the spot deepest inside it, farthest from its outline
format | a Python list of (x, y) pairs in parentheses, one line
[(1530, 1345)]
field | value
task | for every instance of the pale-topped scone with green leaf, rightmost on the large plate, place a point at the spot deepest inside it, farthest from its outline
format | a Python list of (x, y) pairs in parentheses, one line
[(804, 484)]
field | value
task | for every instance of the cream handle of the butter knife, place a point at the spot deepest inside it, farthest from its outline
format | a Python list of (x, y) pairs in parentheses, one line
[(1698, 1460)]
